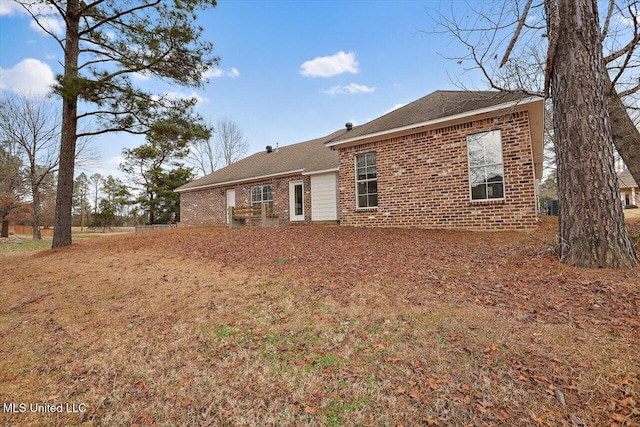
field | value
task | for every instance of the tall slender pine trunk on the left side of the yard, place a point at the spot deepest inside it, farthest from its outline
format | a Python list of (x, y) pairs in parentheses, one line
[(64, 195)]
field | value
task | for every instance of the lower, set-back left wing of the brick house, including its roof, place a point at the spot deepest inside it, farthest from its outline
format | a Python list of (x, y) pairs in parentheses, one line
[(298, 181)]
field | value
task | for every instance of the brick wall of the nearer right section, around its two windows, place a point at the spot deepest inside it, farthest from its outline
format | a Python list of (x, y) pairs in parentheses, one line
[(423, 180)]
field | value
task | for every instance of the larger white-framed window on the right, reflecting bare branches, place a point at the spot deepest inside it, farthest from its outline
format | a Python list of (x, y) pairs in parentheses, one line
[(486, 171)]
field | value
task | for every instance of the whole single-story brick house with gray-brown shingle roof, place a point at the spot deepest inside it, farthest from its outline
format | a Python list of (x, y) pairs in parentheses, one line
[(452, 159)]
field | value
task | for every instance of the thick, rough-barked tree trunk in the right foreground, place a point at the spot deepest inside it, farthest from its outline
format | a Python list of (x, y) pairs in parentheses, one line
[(592, 228)]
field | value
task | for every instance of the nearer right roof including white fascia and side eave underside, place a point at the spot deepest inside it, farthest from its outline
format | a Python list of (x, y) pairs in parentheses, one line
[(442, 108)]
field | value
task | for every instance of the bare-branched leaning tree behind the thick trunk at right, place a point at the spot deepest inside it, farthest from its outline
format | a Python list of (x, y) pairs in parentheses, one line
[(508, 43)]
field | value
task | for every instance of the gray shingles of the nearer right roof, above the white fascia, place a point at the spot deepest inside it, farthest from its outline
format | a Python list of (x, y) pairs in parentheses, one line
[(437, 105)]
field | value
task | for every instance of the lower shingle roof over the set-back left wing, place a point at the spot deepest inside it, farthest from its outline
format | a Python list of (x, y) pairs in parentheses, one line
[(304, 157)]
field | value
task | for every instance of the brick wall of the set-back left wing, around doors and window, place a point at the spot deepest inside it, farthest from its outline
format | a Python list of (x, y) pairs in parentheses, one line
[(209, 206)]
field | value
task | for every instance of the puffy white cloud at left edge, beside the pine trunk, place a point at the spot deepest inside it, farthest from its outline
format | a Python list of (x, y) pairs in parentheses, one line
[(29, 77)]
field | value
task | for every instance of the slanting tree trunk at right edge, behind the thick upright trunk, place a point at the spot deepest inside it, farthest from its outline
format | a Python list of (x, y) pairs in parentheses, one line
[(625, 133)]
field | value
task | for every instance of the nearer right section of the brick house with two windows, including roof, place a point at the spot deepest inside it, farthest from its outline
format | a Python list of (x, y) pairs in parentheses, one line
[(452, 159)]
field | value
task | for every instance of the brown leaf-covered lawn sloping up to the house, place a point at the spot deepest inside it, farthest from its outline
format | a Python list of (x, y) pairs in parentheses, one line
[(317, 326)]
